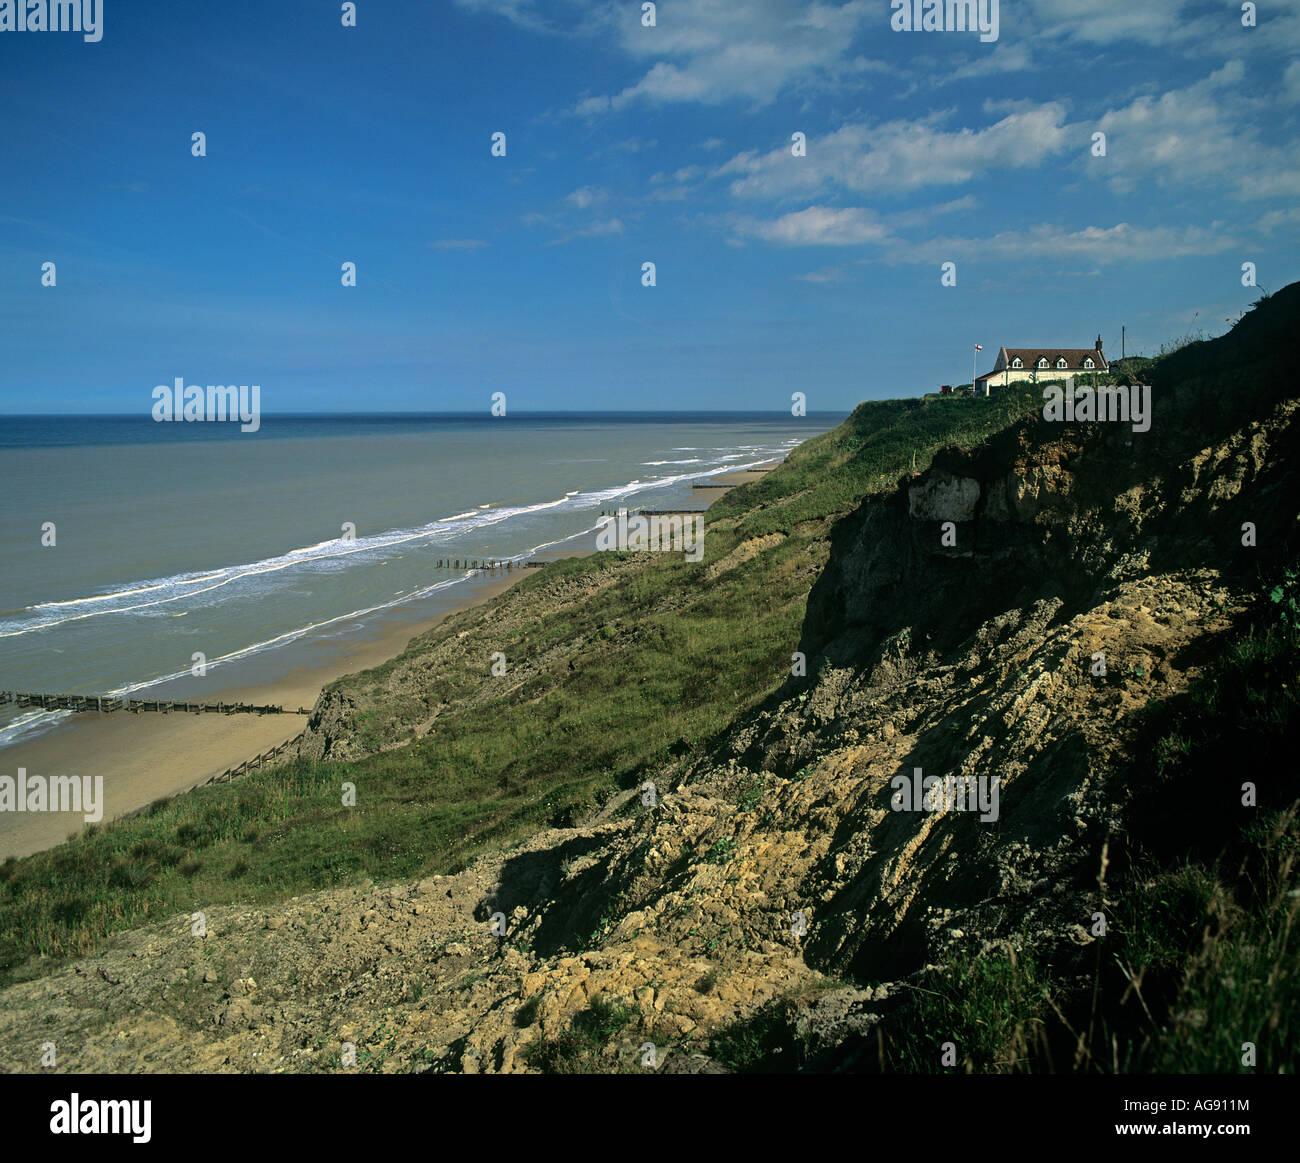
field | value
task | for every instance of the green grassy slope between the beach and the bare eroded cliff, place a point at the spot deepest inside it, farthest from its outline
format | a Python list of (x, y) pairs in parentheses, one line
[(664, 658)]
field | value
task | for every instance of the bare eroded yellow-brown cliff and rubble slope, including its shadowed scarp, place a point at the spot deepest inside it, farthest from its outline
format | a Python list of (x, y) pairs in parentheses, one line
[(1094, 574)]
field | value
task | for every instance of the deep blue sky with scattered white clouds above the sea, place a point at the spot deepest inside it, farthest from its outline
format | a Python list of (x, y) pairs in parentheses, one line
[(627, 145)]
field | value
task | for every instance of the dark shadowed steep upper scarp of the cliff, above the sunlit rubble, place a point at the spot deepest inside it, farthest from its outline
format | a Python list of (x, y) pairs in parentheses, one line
[(1052, 514)]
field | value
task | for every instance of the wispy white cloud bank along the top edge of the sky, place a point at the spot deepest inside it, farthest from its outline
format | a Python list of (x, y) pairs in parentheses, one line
[(713, 51)]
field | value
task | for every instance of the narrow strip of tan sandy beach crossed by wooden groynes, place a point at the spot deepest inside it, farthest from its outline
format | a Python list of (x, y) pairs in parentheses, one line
[(149, 757)]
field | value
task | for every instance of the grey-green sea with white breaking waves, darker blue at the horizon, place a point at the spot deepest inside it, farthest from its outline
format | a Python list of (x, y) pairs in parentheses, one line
[(133, 552)]
